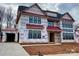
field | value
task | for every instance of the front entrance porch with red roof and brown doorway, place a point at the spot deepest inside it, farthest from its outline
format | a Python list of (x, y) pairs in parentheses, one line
[(54, 34)]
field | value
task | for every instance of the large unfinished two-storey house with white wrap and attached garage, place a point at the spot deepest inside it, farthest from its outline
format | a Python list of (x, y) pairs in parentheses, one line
[(34, 25)]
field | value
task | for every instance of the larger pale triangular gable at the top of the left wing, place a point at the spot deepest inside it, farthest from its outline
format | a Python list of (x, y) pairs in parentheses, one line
[(34, 9)]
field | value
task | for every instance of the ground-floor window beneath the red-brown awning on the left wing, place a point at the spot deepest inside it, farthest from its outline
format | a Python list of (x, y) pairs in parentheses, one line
[(34, 34)]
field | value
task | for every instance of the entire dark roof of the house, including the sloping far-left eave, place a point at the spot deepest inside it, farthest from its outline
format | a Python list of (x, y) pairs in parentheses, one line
[(22, 8)]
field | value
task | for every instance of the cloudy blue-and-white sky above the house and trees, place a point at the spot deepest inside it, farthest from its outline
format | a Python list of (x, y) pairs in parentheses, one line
[(72, 8)]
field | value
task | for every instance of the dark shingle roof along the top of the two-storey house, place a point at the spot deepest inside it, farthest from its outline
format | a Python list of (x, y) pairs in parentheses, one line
[(23, 8)]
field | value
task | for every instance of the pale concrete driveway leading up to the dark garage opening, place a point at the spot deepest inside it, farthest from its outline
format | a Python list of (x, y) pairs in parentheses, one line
[(12, 49)]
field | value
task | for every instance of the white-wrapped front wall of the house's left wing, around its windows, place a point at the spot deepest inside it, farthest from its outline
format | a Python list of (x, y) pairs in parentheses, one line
[(24, 31)]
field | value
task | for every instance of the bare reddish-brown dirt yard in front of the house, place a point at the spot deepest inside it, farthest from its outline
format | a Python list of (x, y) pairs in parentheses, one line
[(51, 49)]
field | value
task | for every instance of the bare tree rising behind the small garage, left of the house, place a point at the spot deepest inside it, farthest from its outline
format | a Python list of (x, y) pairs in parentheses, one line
[(9, 17)]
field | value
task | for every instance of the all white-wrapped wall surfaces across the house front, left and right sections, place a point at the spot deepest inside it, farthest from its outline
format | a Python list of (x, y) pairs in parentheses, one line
[(22, 29)]
